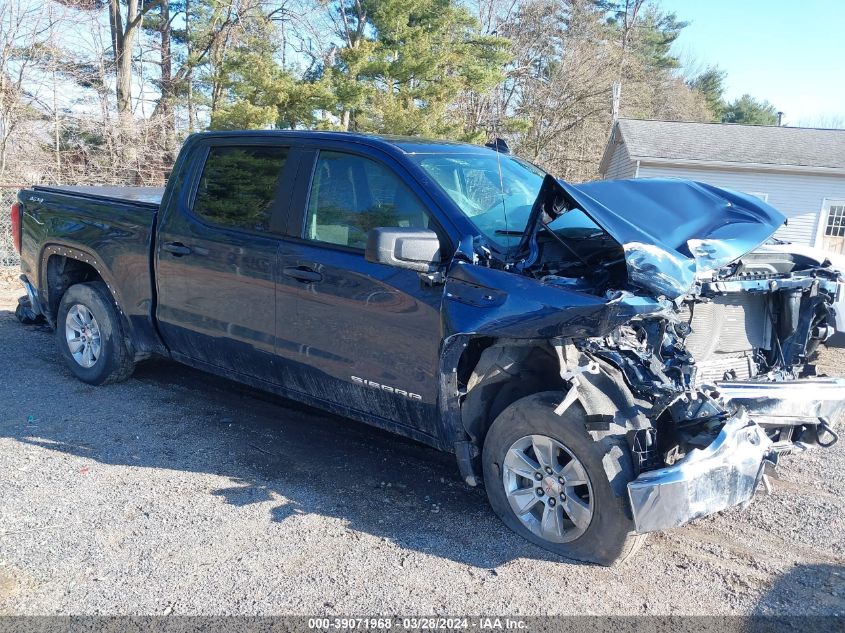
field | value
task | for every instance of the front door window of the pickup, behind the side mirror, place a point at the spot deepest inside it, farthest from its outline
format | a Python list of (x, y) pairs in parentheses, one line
[(350, 195)]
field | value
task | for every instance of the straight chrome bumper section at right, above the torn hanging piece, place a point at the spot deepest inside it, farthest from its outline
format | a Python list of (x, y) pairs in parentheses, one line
[(789, 402)]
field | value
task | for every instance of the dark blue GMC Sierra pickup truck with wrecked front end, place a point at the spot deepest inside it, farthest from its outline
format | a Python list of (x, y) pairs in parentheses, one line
[(607, 359)]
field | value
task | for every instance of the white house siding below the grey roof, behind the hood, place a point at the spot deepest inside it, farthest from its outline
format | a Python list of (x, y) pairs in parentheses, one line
[(799, 197)]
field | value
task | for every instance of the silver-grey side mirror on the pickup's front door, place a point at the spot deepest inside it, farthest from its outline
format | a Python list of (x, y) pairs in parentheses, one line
[(414, 249)]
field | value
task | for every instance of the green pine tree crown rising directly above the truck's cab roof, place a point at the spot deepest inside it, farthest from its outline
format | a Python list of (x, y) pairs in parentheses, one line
[(401, 72)]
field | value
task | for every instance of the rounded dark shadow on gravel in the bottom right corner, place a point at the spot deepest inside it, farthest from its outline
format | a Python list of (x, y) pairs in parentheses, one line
[(817, 592)]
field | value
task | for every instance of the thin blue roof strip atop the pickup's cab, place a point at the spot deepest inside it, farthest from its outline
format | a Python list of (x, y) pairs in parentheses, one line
[(405, 144)]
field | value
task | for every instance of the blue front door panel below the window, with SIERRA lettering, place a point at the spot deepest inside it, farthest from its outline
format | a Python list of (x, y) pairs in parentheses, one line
[(366, 335)]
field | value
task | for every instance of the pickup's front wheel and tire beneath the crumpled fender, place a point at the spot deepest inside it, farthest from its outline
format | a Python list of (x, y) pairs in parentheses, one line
[(607, 537)]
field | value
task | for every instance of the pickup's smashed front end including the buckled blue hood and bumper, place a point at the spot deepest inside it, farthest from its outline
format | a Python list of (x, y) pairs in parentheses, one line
[(716, 381)]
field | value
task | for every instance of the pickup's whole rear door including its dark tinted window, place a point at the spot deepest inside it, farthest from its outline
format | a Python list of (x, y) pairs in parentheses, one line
[(216, 264)]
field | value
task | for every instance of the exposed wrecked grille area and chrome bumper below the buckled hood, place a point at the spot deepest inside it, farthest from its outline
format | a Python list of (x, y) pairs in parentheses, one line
[(701, 433)]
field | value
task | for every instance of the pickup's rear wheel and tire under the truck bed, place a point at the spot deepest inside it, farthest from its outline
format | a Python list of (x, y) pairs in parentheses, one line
[(113, 361)]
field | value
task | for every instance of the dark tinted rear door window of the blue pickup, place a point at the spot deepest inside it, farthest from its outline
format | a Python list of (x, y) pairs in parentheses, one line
[(238, 186)]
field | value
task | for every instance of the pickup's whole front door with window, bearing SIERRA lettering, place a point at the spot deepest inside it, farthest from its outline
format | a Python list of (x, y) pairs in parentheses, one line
[(365, 336)]
